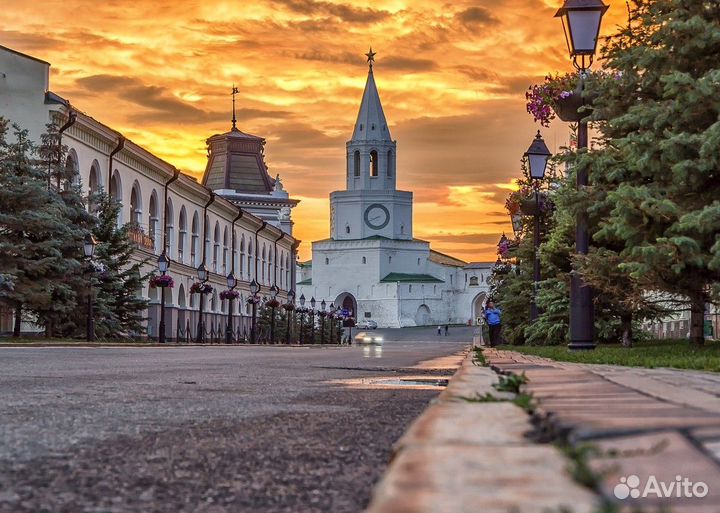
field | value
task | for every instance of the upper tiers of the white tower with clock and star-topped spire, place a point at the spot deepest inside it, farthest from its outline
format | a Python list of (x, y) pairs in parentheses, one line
[(371, 206)]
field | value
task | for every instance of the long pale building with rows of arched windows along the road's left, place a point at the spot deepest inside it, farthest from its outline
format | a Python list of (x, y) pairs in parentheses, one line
[(236, 227)]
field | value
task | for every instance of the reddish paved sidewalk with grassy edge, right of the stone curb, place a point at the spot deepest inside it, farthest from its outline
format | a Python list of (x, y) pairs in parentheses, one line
[(660, 422)]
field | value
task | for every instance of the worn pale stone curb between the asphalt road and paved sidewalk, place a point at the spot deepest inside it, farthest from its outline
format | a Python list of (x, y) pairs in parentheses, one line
[(465, 456)]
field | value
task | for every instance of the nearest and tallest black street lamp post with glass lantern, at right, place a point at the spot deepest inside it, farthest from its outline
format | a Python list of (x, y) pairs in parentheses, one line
[(581, 21)]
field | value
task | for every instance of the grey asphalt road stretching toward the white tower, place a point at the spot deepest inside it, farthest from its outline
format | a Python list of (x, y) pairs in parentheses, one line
[(206, 429)]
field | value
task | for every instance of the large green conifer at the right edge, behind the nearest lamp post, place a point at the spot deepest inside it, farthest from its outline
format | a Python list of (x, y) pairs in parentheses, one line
[(659, 167)]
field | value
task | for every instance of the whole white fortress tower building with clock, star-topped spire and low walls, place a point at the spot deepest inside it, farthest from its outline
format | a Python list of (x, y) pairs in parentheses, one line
[(371, 264)]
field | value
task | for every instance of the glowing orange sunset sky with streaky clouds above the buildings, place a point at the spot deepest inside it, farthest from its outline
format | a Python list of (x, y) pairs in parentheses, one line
[(451, 75)]
